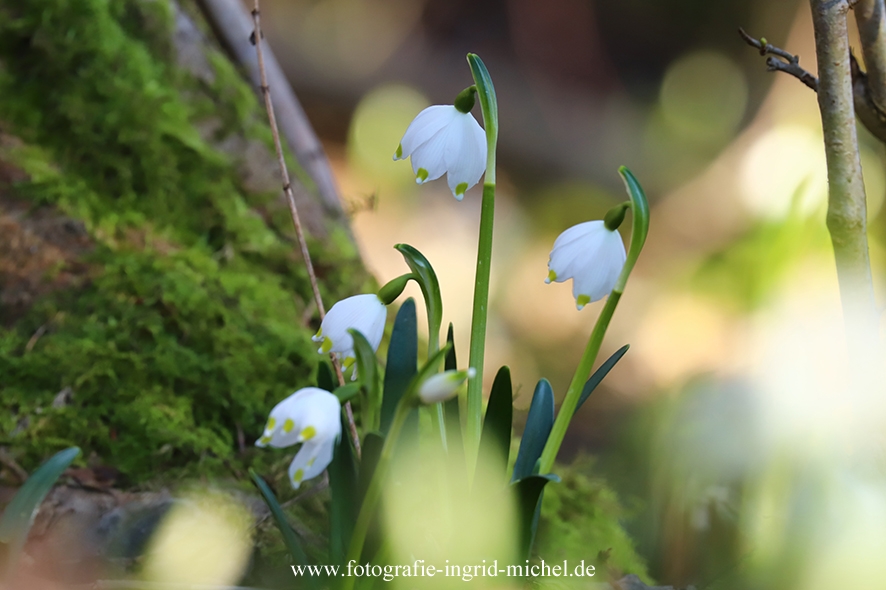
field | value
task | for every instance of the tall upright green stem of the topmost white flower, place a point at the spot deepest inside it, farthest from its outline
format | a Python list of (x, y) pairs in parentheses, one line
[(474, 405)]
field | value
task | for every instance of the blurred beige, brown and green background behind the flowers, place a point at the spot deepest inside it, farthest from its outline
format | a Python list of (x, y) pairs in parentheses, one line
[(733, 306)]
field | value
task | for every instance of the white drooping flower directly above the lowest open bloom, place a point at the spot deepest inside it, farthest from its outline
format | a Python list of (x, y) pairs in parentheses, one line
[(364, 313)]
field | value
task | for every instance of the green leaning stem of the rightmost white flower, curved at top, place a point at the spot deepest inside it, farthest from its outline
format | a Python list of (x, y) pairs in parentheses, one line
[(639, 229)]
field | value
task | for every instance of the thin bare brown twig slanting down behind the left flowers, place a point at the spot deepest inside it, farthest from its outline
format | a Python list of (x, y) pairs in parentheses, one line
[(290, 197)]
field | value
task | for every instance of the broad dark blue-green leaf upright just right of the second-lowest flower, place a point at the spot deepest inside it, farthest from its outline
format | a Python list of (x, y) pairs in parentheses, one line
[(402, 363)]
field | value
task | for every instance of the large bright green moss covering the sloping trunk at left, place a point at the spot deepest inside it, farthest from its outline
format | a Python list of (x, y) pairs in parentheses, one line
[(189, 325)]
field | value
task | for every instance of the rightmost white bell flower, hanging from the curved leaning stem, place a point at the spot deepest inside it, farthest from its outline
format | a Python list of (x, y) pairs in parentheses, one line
[(590, 254)]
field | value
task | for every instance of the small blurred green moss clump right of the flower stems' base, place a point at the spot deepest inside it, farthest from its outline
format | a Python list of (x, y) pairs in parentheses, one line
[(580, 519)]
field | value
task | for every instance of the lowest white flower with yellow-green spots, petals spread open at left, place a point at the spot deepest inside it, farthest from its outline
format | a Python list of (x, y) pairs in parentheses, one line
[(311, 416)]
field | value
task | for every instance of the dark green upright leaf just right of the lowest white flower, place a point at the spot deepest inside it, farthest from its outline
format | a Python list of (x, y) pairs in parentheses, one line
[(344, 502)]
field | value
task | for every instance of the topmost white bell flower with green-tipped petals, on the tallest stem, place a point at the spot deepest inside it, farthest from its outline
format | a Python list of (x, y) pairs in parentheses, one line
[(442, 139)]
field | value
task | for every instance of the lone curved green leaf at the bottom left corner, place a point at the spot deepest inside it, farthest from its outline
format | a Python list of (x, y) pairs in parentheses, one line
[(19, 515)]
